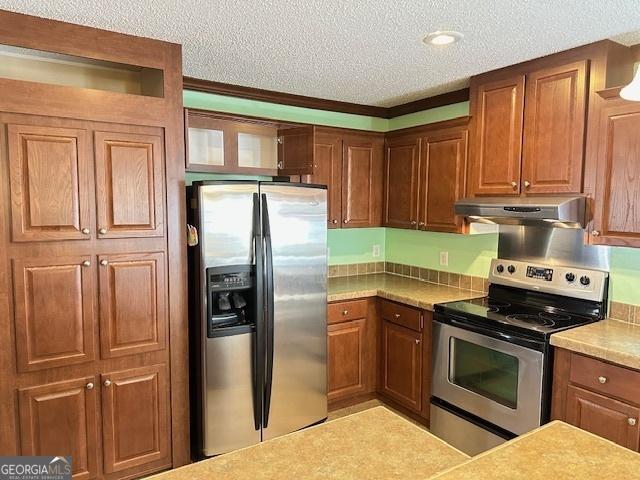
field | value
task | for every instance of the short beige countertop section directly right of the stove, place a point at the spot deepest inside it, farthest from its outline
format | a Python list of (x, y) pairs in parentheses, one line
[(611, 340)]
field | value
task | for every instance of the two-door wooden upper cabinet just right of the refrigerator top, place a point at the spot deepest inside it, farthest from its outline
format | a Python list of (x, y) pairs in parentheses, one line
[(349, 163)]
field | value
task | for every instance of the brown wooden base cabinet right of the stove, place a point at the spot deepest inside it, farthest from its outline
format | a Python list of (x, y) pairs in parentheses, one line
[(597, 396)]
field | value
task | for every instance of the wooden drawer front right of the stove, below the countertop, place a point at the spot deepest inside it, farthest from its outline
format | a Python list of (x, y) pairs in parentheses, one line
[(605, 378)]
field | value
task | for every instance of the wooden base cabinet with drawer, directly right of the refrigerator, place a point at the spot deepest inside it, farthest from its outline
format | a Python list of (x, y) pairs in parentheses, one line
[(351, 349)]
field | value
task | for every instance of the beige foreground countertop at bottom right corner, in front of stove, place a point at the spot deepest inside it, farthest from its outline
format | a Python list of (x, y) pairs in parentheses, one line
[(556, 451)]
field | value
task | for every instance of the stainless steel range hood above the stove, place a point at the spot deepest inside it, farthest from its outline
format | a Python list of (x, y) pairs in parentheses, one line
[(563, 212)]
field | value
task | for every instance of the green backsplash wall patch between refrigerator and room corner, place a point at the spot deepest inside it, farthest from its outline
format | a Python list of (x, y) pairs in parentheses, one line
[(355, 245)]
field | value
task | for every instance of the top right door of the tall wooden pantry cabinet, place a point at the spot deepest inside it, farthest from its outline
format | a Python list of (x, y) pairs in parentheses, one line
[(129, 184)]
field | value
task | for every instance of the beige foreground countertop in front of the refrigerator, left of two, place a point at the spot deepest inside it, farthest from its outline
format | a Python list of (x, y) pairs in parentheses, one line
[(373, 444)]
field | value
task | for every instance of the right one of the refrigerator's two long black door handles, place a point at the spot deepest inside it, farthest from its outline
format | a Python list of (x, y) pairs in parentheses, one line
[(266, 232)]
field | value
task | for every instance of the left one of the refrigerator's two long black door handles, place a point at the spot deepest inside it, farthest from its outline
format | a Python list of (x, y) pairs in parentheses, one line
[(258, 347)]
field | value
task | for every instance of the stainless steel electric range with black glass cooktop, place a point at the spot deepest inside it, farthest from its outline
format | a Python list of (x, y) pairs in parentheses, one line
[(491, 356)]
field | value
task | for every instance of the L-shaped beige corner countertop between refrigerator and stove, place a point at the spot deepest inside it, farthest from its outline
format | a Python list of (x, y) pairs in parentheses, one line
[(393, 287)]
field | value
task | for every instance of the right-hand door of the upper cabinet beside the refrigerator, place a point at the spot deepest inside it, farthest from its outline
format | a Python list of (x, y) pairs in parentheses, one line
[(361, 182)]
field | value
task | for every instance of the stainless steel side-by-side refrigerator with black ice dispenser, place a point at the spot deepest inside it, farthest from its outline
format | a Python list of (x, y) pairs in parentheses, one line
[(258, 311)]
